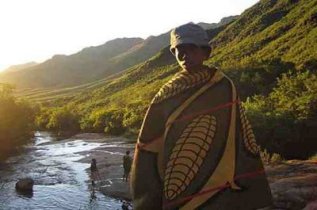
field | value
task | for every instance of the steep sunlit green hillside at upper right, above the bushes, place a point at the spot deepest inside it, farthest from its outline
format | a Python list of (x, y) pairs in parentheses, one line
[(270, 30)]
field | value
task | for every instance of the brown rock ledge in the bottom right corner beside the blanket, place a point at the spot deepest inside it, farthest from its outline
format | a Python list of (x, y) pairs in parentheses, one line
[(293, 184)]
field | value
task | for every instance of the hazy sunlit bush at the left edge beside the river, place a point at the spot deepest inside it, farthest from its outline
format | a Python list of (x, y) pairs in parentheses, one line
[(16, 124)]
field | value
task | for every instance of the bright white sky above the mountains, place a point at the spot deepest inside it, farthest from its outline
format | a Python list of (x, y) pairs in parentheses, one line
[(35, 30)]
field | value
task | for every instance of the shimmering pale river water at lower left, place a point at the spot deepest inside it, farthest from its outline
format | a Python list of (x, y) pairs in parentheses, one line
[(60, 181)]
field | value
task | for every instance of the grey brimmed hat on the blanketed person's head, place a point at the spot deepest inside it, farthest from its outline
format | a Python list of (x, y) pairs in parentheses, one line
[(189, 33)]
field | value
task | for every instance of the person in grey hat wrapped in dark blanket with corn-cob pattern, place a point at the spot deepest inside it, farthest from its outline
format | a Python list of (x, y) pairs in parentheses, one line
[(196, 148)]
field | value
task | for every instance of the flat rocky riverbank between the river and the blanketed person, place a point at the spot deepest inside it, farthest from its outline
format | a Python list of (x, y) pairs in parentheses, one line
[(109, 162)]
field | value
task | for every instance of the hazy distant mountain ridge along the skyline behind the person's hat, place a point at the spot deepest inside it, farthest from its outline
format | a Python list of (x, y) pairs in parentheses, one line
[(93, 63)]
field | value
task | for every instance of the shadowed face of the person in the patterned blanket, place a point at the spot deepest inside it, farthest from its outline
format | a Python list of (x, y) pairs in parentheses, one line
[(190, 57)]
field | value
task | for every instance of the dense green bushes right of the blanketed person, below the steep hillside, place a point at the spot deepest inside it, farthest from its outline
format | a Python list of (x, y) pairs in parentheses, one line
[(280, 119)]
